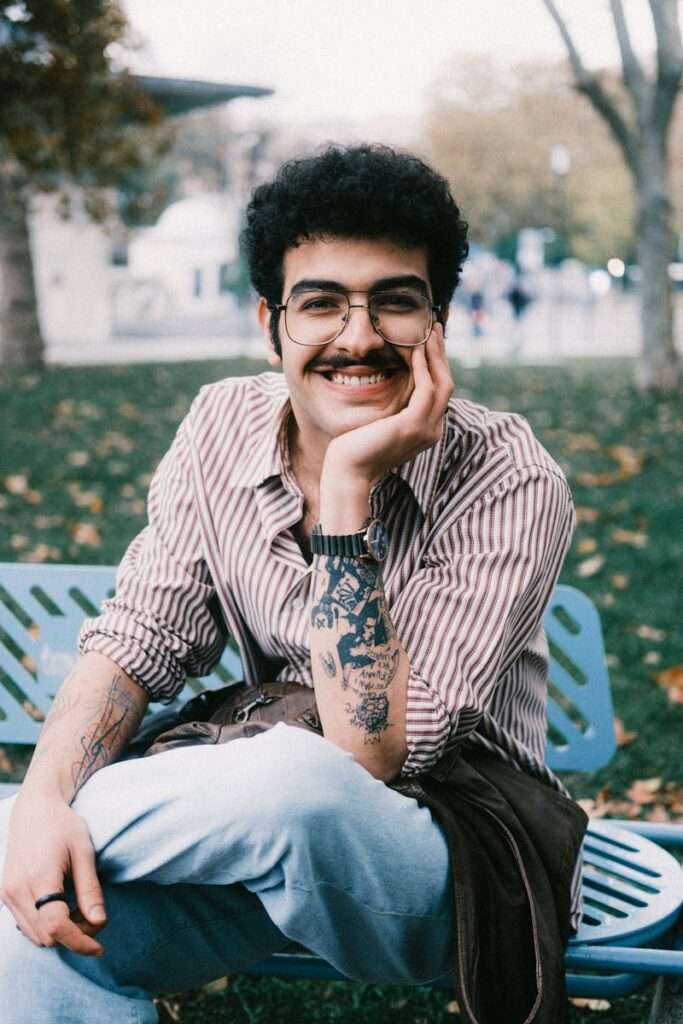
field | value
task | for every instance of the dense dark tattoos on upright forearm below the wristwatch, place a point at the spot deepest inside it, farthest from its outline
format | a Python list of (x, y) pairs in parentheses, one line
[(361, 651)]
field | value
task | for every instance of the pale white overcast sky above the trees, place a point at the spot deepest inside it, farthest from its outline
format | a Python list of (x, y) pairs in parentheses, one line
[(360, 59)]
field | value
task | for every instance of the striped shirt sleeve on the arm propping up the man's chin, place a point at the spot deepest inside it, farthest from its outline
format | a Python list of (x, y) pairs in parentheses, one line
[(477, 604)]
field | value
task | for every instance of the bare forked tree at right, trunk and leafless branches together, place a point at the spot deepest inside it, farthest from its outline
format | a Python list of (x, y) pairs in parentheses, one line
[(641, 117)]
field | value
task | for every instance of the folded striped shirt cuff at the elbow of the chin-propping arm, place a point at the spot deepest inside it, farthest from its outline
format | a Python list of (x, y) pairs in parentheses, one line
[(429, 727)]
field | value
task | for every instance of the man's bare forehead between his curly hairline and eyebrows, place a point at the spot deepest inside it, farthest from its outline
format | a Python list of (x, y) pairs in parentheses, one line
[(355, 264)]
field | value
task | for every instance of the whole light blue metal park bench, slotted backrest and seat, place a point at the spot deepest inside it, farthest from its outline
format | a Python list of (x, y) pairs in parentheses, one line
[(632, 886)]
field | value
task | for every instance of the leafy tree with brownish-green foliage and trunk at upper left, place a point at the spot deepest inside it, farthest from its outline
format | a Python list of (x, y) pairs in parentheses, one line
[(68, 115)]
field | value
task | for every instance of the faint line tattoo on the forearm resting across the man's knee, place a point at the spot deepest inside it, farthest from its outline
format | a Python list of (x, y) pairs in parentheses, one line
[(116, 719)]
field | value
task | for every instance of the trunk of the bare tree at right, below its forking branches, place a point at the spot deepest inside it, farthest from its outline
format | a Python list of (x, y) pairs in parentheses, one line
[(660, 366)]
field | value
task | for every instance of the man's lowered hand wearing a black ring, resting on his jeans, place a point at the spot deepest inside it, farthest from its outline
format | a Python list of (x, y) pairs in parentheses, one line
[(48, 844)]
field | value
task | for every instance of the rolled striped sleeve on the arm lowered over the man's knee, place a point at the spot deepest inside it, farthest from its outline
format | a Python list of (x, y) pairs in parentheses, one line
[(163, 622)]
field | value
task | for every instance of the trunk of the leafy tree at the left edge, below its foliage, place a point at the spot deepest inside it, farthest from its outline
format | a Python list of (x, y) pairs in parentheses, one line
[(21, 339)]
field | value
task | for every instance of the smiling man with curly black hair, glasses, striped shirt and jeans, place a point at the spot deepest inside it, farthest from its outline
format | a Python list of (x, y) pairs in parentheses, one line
[(413, 630)]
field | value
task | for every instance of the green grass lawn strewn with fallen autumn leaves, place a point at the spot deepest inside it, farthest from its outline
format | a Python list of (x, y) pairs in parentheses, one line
[(79, 446)]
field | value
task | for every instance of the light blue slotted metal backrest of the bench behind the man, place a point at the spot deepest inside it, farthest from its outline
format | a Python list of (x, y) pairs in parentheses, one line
[(42, 607)]
